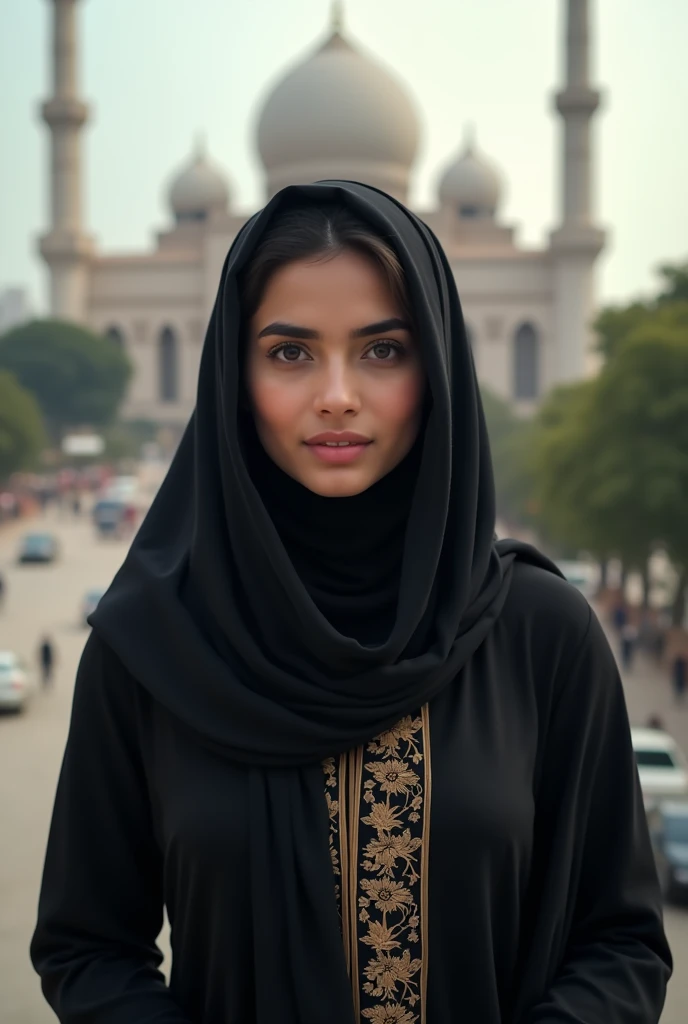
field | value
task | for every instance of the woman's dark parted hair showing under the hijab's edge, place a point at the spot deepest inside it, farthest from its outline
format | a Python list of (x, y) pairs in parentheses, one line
[(319, 232)]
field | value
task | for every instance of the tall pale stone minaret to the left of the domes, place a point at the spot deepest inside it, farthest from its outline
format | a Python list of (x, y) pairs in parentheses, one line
[(66, 248)]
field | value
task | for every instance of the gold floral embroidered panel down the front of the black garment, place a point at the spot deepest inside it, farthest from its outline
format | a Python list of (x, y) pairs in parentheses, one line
[(379, 806)]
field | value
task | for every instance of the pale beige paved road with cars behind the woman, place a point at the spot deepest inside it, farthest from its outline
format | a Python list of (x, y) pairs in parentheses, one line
[(31, 748)]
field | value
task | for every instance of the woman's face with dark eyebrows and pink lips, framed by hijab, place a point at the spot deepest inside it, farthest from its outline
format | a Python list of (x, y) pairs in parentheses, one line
[(334, 374)]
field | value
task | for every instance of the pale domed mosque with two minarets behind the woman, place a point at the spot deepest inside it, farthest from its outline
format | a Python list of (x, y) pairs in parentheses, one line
[(335, 114)]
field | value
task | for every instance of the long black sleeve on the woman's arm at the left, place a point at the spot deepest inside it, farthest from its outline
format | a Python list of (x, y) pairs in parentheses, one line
[(102, 907)]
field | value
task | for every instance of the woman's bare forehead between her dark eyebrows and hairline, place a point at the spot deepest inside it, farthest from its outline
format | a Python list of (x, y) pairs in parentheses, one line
[(351, 284)]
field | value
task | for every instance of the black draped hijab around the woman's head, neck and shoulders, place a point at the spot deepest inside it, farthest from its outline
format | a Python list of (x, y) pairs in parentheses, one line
[(221, 613)]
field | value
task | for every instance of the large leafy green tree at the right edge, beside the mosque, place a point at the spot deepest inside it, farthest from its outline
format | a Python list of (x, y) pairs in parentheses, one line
[(612, 463)]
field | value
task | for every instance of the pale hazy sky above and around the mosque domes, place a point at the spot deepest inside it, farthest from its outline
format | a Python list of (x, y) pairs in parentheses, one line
[(159, 72)]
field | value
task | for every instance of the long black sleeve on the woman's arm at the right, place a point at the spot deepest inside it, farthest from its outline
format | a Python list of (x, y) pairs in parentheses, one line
[(592, 827)]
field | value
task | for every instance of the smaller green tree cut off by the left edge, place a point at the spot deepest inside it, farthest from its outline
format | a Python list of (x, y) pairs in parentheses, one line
[(22, 435)]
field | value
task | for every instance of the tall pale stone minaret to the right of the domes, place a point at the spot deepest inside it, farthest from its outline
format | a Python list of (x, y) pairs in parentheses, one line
[(577, 243)]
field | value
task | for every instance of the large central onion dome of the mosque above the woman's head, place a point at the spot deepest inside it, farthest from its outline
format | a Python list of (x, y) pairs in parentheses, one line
[(339, 114)]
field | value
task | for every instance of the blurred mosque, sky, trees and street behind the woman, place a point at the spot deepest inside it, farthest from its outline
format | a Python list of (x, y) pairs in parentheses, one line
[(545, 145)]
